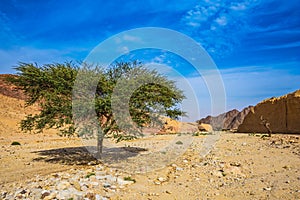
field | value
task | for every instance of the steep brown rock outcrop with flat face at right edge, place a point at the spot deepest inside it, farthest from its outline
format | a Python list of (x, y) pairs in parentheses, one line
[(282, 114)]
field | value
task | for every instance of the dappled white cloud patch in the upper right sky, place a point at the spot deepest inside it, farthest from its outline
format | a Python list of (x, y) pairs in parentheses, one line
[(219, 25)]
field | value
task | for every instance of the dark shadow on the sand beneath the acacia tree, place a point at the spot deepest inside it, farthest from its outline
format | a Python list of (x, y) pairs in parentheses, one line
[(85, 155)]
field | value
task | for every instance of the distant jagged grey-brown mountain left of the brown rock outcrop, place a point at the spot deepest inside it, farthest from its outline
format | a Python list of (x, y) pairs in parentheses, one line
[(226, 121)]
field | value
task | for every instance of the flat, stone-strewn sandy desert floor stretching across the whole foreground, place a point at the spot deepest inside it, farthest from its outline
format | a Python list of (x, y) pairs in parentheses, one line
[(238, 166)]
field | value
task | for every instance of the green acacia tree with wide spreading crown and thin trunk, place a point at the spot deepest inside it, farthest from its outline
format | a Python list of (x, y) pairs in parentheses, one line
[(124, 98)]
